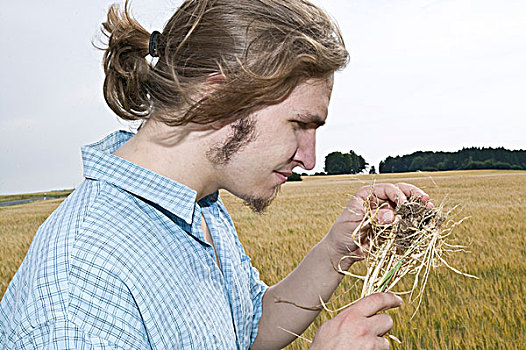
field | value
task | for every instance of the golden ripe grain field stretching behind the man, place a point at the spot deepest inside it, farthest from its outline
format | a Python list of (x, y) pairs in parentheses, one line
[(456, 312)]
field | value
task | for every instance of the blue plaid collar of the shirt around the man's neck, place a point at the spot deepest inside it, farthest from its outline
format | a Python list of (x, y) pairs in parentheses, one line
[(100, 164)]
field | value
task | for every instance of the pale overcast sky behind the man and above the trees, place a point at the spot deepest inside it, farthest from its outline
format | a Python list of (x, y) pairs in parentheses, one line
[(424, 75)]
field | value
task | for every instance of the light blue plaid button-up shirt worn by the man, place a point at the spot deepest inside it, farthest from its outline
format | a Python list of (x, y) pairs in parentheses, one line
[(123, 264)]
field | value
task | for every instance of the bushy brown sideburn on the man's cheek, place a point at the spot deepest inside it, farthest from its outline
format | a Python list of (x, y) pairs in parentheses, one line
[(243, 132)]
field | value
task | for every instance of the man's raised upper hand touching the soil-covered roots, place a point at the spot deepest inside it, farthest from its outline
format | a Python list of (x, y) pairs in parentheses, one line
[(383, 196)]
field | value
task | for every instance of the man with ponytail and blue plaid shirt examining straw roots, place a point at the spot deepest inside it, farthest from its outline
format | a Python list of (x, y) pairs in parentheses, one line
[(144, 254)]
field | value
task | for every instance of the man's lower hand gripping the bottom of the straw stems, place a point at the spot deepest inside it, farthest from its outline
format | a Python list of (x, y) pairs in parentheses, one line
[(360, 326)]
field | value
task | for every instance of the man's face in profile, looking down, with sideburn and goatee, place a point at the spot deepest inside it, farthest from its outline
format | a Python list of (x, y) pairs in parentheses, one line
[(284, 137)]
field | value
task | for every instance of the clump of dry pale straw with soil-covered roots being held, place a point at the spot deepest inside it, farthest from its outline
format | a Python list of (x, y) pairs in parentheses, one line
[(412, 245)]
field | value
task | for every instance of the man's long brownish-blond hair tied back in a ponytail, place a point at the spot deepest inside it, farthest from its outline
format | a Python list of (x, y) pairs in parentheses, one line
[(260, 49)]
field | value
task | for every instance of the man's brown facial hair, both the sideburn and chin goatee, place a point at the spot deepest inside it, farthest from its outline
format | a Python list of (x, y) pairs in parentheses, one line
[(243, 132)]
